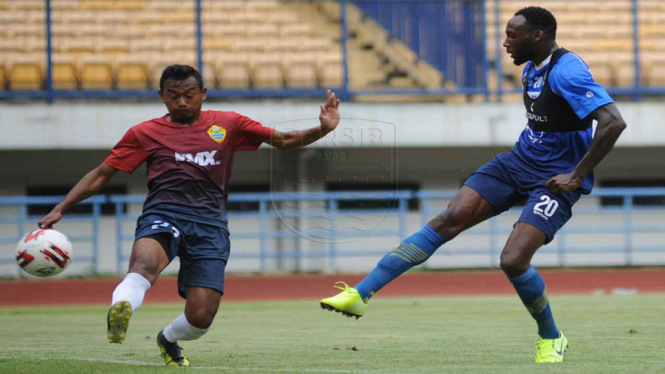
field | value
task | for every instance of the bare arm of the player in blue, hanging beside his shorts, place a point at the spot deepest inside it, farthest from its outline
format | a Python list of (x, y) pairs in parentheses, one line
[(610, 126)]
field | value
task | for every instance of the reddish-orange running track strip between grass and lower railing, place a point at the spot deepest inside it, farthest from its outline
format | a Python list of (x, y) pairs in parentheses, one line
[(314, 287)]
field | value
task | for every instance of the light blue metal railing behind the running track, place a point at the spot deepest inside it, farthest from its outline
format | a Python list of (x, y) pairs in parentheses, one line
[(335, 241)]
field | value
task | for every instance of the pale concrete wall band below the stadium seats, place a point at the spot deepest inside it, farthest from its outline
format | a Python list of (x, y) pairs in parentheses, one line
[(100, 125)]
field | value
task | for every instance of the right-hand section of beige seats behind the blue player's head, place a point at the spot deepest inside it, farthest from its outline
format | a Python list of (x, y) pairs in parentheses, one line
[(583, 28)]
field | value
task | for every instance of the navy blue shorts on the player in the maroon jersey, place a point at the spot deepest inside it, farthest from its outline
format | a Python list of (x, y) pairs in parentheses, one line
[(203, 249)]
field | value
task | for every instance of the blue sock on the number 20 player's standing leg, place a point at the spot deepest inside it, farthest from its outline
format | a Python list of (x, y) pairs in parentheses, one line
[(531, 289)]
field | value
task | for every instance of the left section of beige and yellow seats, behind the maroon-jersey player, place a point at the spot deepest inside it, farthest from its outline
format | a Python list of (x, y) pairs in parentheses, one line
[(257, 44)]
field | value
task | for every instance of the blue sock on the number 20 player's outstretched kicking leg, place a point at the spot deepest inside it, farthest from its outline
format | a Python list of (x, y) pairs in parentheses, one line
[(413, 251)]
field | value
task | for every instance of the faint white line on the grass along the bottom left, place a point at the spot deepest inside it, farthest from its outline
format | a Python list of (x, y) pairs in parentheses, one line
[(217, 368)]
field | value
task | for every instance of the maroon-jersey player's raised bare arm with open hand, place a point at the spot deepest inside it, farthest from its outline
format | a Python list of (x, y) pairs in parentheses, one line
[(329, 118)]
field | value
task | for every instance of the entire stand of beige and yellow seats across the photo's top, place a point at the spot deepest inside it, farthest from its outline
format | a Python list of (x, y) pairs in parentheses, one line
[(123, 44)]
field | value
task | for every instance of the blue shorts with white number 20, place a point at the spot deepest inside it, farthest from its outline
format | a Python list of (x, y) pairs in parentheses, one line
[(503, 183)]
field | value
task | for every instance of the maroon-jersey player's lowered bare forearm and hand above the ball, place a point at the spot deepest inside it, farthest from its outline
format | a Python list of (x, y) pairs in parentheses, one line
[(86, 187)]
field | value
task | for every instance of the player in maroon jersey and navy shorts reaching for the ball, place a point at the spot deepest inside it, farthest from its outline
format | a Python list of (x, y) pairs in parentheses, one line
[(189, 154)]
